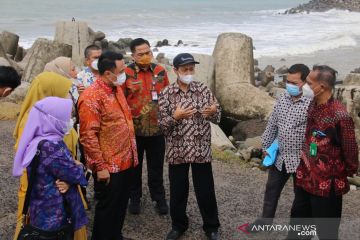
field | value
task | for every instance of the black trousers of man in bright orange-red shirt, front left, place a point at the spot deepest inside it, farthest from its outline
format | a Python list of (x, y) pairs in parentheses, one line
[(110, 210)]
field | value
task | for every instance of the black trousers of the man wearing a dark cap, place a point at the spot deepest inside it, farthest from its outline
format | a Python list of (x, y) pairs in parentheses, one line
[(204, 191)]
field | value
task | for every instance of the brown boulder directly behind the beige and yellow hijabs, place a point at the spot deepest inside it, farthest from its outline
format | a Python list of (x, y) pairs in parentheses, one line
[(42, 52)]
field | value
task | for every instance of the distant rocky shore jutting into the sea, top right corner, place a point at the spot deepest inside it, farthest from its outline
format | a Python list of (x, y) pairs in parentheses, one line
[(325, 5)]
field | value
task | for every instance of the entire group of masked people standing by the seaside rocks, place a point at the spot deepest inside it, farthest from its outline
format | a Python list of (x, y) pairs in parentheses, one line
[(110, 115)]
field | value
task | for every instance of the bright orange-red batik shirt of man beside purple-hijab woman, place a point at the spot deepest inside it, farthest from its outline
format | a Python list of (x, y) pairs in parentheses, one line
[(106, 128)]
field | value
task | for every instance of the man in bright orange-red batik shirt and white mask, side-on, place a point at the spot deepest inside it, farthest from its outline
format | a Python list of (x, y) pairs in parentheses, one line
[(108, 136)]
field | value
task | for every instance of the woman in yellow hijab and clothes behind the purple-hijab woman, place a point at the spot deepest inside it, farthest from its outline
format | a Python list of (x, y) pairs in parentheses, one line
[(44, 85)]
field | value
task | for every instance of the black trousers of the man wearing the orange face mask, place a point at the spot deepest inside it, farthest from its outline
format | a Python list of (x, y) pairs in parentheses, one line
[(155, 149)]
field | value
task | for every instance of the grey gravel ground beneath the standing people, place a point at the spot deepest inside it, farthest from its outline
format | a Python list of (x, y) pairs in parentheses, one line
[(239, 190)]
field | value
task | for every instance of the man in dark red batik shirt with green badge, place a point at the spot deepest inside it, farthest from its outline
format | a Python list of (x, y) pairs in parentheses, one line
[(328, 157)]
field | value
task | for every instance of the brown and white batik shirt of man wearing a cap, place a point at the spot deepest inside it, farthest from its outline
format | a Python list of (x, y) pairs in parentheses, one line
[(187, 140)]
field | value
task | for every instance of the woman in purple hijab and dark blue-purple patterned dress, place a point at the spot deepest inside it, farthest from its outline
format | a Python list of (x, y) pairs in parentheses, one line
[(49, 120)]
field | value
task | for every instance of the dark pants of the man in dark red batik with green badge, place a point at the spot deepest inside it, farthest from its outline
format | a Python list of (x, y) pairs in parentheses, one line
[(323, 212)]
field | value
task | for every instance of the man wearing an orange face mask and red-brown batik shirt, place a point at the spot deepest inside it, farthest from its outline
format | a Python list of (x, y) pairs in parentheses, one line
[(144, 82)]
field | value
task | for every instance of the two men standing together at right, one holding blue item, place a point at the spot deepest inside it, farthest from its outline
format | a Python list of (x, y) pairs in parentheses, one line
[(316, 147)]
